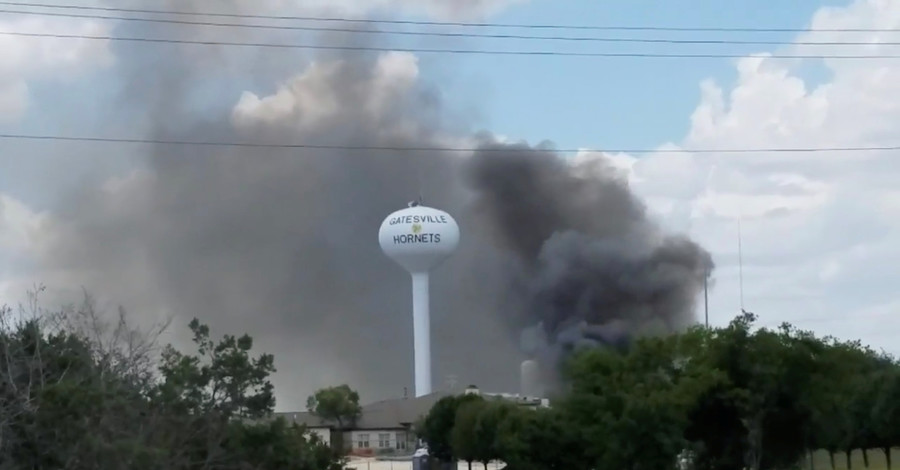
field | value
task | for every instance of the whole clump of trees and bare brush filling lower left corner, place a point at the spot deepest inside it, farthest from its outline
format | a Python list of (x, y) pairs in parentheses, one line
[(80, 393)]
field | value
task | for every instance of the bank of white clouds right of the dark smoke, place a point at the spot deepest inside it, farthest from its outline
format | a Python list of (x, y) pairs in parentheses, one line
[(821, 231)]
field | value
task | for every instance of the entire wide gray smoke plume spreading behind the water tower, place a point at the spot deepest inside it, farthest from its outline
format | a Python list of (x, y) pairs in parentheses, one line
[(282, 243)]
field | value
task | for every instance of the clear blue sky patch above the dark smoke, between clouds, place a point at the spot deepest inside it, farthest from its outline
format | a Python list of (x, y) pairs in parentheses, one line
[(617, 102)]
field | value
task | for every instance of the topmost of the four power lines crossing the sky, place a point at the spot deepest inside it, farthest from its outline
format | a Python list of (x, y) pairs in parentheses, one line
[(447, 23)]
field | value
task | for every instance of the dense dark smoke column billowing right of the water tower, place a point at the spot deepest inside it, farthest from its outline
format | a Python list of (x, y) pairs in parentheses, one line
[(595, 270)]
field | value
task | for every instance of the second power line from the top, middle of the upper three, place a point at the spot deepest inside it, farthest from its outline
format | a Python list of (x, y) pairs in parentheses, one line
[(453, 35)]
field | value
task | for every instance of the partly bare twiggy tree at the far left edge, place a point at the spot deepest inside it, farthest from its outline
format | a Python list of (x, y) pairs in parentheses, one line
[(72, 390)]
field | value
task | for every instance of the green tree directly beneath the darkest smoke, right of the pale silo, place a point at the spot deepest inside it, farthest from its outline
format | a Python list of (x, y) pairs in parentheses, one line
[(633, 409)]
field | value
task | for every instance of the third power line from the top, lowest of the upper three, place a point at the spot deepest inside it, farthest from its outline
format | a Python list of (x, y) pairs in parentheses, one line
[(442, 51)]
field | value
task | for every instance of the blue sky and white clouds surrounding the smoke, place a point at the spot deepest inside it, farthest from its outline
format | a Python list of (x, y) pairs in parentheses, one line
[(819, 232)]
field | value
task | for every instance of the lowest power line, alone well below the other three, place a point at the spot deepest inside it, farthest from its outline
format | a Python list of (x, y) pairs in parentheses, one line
[(437, 149)]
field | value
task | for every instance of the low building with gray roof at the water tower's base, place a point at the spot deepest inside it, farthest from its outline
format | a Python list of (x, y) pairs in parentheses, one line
[(386, 427)]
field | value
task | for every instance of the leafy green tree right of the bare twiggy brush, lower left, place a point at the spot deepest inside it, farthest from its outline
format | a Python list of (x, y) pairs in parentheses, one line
[(217, 405)]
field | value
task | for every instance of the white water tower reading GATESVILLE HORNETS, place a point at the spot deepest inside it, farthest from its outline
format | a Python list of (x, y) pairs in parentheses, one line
[(418, 238)]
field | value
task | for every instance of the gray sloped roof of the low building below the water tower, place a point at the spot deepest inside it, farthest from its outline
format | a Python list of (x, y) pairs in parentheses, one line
[(399, 413)]
